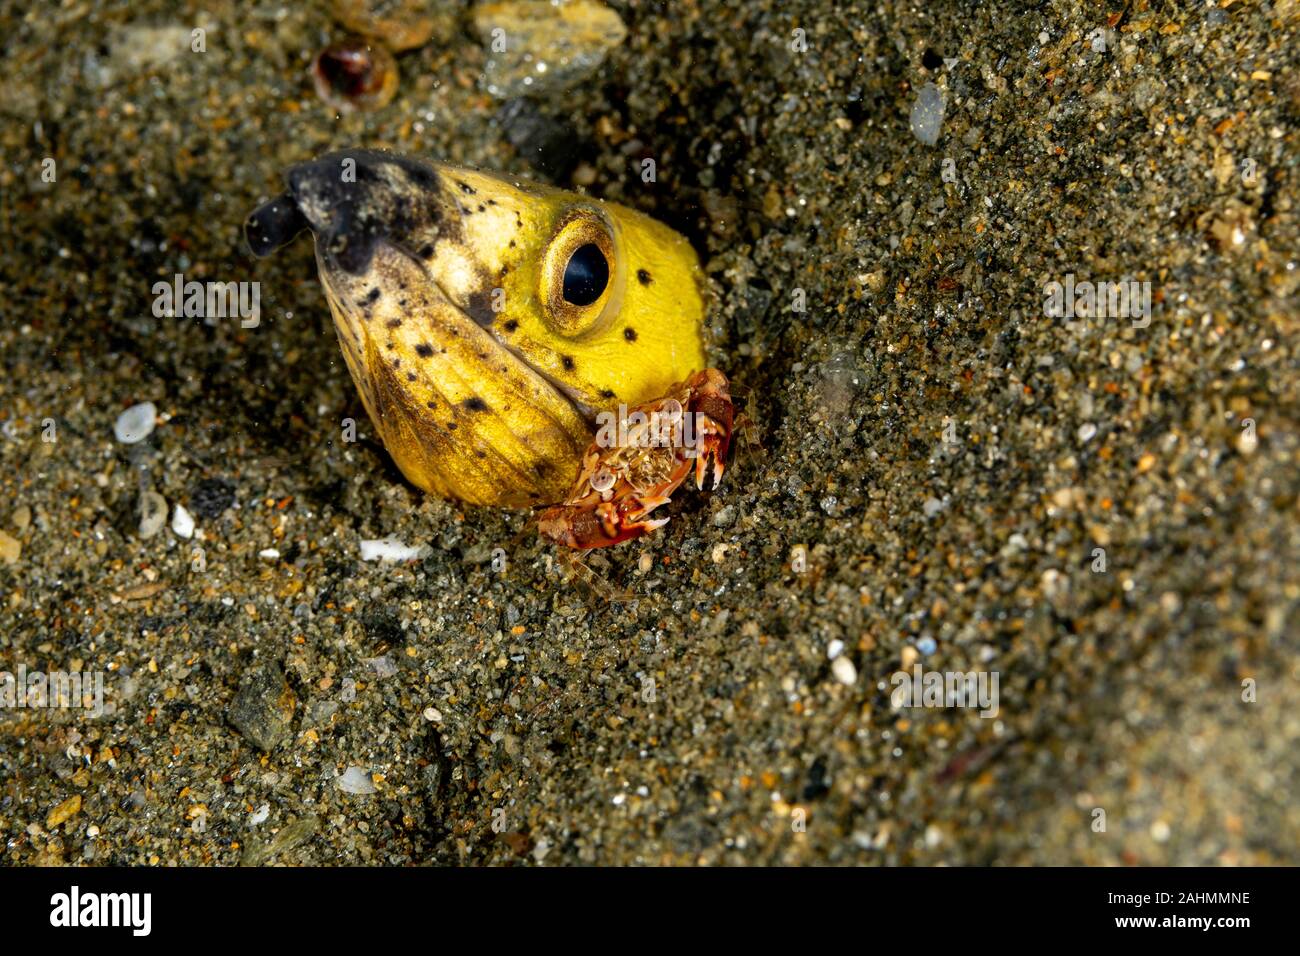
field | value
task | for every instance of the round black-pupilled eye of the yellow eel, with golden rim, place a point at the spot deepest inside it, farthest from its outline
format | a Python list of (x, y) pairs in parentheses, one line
[(580, 274)]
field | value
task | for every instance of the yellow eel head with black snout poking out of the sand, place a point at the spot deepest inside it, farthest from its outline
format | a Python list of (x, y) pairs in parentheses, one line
[(488, 321)]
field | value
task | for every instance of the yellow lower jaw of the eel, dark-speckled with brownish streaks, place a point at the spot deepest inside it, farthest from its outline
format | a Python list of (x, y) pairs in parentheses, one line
[(461, 414)]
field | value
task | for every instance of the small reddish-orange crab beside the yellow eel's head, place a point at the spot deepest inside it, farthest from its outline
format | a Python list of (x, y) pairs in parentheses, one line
[(638, 462)]
